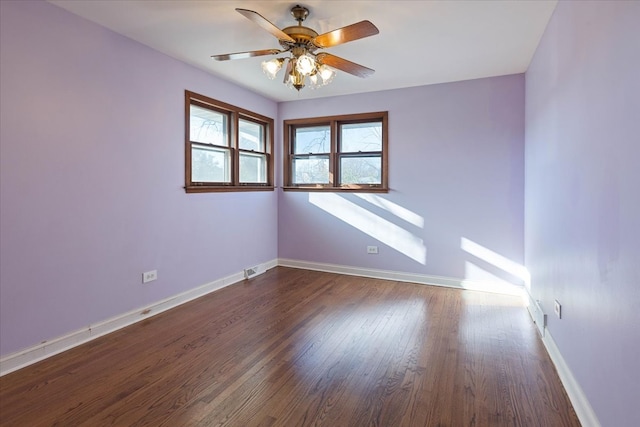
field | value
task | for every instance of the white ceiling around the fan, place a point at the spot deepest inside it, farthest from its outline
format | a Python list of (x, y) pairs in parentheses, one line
[(420, 42)]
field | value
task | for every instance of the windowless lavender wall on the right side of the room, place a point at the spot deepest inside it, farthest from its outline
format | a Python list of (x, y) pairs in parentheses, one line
[(582, 199)]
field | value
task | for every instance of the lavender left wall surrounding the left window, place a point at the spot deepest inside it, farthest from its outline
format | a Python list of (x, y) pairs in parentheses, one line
[(92, 169)]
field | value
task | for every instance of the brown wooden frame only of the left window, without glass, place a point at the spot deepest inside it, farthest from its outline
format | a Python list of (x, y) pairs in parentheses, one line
[(234, 115)]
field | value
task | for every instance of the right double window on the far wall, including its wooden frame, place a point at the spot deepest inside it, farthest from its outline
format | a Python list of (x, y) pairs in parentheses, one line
[(341, 153)]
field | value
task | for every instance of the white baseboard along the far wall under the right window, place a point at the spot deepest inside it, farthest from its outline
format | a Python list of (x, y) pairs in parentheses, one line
[(424, 279)]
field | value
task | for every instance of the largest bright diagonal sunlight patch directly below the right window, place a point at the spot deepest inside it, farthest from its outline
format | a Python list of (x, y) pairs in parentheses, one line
[(379, 228)]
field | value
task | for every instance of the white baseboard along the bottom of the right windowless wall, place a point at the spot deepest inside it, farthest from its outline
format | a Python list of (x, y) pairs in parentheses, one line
[(578, 399)]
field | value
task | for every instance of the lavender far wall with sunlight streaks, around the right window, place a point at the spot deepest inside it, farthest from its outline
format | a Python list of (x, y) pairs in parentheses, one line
[(455, 172)]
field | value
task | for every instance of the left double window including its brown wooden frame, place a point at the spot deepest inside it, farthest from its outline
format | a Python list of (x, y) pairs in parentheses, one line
[(227, 148)]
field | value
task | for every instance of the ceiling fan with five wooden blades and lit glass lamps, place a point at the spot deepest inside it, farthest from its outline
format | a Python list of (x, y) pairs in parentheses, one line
[(302, 43)]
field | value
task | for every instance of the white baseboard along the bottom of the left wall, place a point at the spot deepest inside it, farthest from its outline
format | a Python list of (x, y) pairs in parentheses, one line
[(36, 353)]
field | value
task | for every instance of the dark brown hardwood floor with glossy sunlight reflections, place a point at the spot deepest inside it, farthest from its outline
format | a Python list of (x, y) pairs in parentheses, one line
[(300, 348)]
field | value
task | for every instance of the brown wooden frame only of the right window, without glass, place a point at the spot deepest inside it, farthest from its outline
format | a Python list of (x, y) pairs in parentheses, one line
[(334, 122)]
